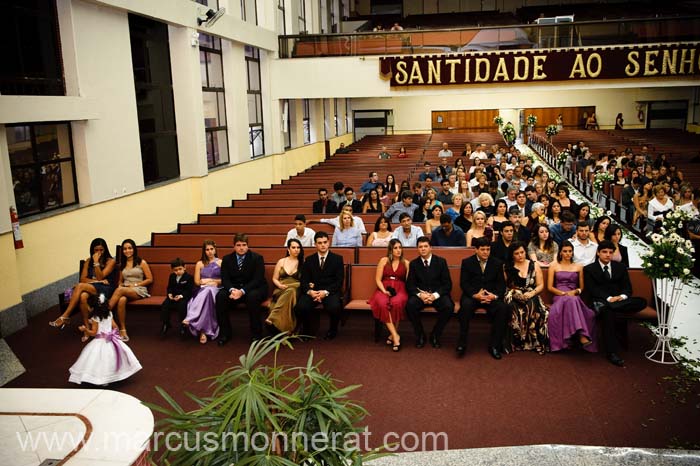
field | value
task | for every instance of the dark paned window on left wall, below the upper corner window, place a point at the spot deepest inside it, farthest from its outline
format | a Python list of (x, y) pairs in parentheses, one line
[(41, 162)]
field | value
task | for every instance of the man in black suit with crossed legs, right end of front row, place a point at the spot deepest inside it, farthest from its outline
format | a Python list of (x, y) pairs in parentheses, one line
[(609, 287)]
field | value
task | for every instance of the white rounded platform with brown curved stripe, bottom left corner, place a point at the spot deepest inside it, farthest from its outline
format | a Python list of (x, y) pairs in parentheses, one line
[(100, 427)]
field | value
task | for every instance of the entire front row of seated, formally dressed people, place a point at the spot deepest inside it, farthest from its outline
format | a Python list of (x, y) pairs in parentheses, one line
[(509, 290)]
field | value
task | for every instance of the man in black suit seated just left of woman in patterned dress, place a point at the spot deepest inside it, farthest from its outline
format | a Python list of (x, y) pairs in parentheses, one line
[(483, 286)]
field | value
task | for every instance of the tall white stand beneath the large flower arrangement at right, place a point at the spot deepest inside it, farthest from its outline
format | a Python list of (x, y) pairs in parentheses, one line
[(667, 292)]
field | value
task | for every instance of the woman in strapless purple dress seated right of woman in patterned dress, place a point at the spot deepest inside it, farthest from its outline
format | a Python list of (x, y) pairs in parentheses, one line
[(570, 320)]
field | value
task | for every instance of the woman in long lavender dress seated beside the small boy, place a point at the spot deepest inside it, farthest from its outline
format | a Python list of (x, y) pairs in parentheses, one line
[(201, 310)]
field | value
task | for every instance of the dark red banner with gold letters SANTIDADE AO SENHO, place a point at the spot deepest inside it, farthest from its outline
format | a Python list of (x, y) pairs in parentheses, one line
[(621, 62)]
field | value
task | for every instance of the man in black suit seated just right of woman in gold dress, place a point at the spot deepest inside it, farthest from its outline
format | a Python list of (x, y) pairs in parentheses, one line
[(321, 283)]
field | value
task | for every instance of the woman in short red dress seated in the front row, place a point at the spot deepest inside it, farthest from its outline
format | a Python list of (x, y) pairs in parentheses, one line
[(389, 299)]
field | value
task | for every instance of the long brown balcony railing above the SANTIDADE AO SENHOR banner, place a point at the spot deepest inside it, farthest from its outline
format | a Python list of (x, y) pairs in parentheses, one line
[(528, 36)]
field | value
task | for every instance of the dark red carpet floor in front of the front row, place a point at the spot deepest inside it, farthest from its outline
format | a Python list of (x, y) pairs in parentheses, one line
[(568, 398)]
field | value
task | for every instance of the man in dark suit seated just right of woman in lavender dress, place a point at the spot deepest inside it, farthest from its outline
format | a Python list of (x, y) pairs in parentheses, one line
[(242, 281)]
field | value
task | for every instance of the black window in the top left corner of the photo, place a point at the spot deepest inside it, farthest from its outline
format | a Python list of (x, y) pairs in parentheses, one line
[(31, 52)]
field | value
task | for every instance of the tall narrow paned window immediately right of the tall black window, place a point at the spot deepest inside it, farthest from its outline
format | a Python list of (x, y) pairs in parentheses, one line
[(211, 66)]
